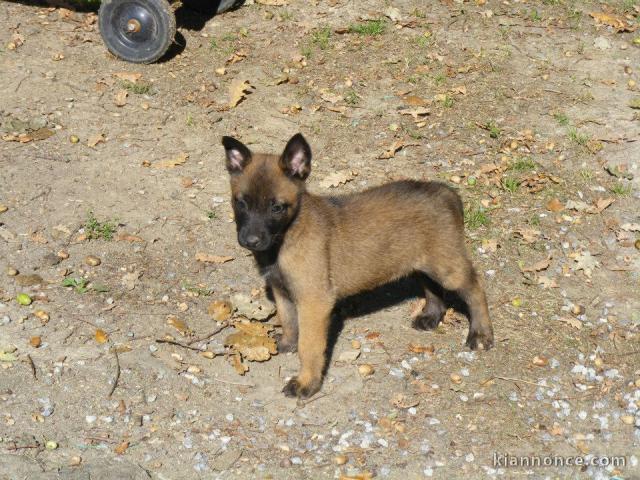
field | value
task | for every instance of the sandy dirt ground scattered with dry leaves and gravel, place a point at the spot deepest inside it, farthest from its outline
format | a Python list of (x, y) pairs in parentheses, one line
[(524, 106)]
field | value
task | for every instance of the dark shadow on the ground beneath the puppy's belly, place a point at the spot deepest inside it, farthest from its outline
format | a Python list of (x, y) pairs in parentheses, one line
[(384, 297)]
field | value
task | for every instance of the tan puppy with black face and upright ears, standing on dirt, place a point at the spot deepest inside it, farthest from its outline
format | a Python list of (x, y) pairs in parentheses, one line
[(313, 250)]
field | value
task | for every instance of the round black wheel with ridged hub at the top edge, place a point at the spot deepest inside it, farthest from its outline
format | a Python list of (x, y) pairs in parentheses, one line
[(157, 28)]
